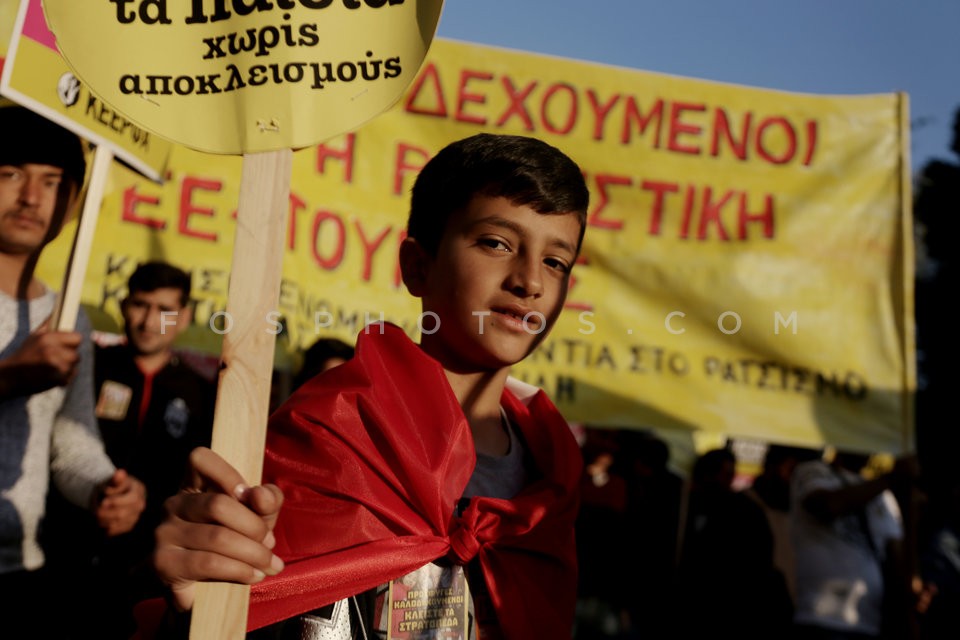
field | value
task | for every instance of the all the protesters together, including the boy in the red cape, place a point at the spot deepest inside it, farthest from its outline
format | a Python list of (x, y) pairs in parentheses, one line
[(391, 459)]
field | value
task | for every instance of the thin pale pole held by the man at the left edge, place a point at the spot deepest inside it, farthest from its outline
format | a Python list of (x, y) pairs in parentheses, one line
[(64, 316)]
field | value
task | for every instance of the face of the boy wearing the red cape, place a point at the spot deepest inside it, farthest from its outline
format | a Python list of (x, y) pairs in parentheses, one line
[(497, 284)]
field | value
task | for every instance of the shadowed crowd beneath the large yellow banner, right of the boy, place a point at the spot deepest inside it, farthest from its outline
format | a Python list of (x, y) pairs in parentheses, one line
[(819, 544)]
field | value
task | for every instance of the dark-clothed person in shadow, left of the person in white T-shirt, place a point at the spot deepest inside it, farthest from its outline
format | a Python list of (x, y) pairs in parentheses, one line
[(728, 584)]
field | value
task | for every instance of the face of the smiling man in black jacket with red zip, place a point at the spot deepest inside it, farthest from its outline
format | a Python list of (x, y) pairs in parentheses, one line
[(153, 319)]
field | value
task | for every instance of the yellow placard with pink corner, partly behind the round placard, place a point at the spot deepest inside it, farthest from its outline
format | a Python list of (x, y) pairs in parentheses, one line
[(36, 76)]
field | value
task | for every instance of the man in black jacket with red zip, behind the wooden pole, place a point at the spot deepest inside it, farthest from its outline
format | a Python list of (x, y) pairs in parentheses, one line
[(153, 409)]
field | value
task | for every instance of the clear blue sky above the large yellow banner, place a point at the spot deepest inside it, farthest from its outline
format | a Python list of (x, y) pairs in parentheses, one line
[(807, 46)]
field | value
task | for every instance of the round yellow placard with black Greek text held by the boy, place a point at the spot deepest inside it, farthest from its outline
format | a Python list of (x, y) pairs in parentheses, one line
[(243, 76)]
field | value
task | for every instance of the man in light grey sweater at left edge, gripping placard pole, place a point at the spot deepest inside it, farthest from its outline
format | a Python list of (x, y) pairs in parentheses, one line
[(47, 426)]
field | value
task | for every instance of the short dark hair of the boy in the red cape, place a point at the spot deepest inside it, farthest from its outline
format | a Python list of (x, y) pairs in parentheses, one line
[(525, 170)]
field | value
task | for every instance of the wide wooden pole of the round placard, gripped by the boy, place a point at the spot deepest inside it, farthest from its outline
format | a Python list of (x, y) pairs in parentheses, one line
[(243, 391)]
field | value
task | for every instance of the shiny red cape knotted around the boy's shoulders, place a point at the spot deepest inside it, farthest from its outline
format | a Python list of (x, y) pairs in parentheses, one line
[(372, 461)]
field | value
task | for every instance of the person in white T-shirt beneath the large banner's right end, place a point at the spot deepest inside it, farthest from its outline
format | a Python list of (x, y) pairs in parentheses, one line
[(848, 533)]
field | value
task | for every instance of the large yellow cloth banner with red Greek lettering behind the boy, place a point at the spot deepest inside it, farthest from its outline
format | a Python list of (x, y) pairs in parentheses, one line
[(747, 268)]
